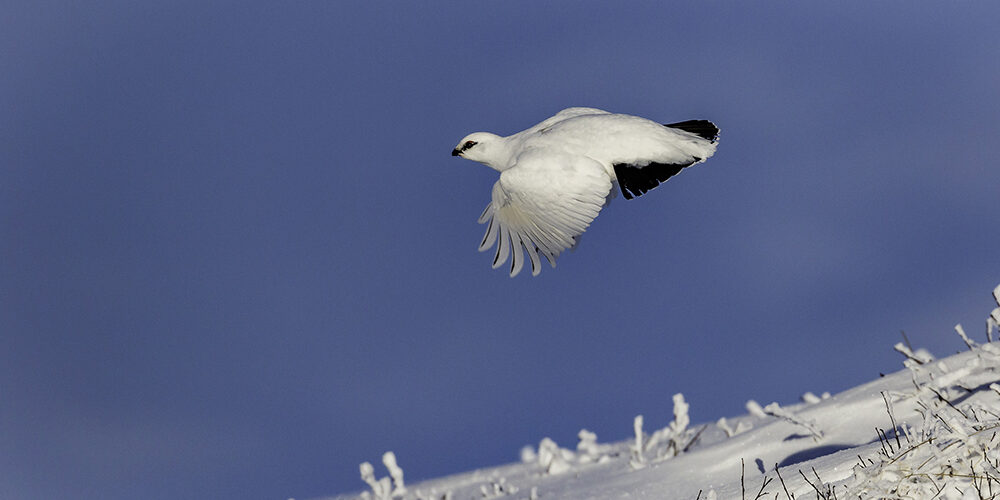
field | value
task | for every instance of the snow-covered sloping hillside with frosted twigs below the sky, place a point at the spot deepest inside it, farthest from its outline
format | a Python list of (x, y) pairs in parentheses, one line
[(927, 431)]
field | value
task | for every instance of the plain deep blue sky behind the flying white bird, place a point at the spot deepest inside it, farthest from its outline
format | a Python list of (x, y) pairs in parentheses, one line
[(237, 260)]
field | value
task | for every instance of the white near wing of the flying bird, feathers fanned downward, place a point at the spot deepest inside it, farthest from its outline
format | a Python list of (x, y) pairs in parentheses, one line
[(542, 204)]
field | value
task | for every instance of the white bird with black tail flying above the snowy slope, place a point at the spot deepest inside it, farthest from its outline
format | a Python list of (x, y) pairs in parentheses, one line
[(556, 176)]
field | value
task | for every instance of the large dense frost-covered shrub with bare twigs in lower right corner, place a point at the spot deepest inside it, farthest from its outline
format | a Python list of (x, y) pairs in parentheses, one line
[(953, 452)]
